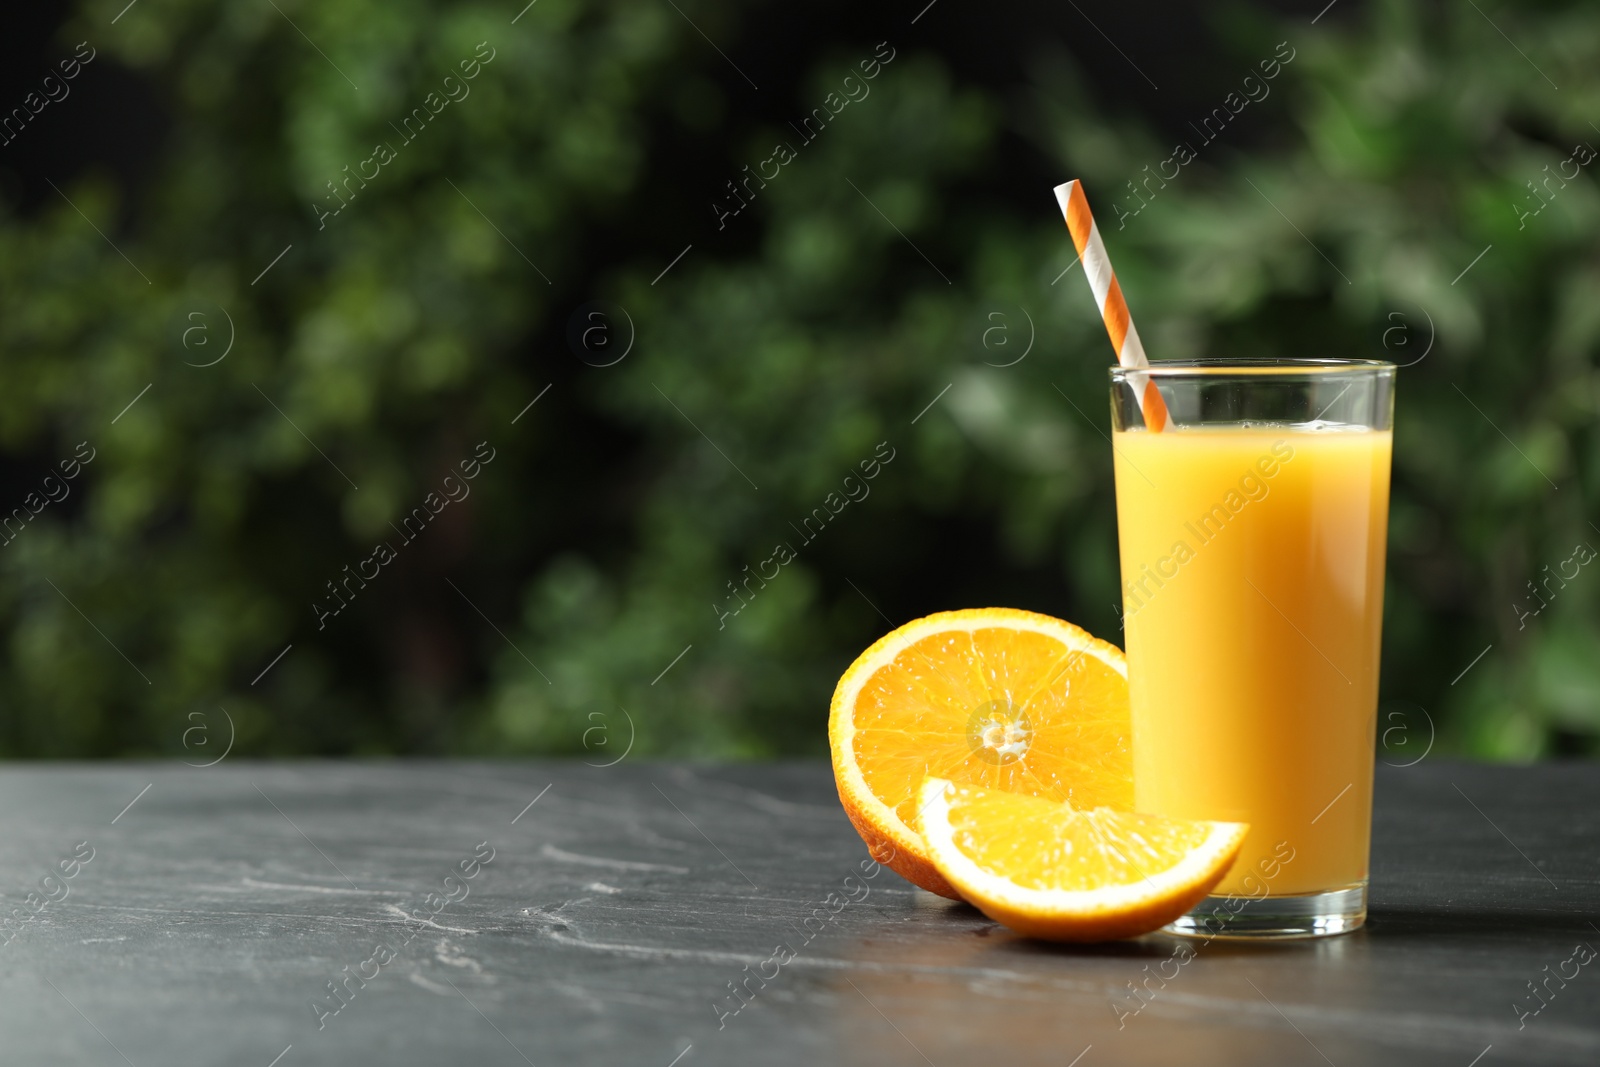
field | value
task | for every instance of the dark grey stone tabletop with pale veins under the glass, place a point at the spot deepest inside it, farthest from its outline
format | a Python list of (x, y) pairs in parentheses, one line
[(559, 914)]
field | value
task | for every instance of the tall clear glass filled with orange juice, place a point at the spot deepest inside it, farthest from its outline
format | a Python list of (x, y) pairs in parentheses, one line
[(1252, 530)]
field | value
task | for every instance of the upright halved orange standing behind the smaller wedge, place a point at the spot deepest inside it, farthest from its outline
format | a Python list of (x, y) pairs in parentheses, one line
[(991, 697)]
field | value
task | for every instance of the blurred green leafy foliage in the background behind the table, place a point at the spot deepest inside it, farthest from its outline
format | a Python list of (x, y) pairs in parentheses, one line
[(767, 366)]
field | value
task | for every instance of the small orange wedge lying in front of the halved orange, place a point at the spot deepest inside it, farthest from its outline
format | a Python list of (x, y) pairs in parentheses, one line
[(1049, 871)]
